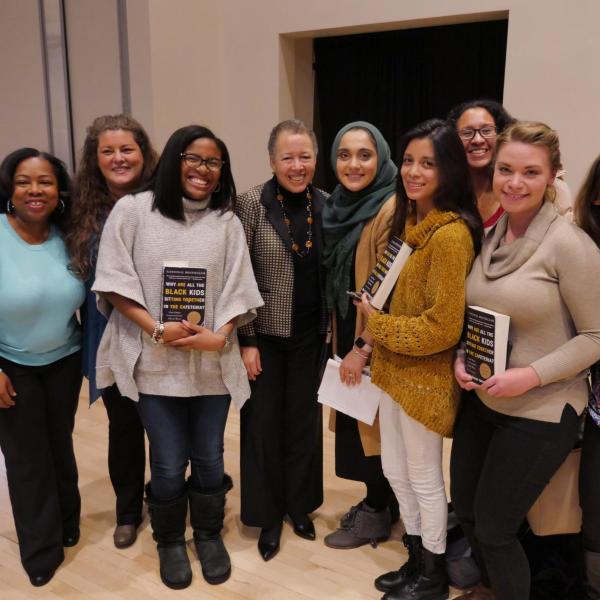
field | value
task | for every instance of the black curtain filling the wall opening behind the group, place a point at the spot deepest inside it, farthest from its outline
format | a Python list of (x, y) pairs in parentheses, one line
[(397, 79)]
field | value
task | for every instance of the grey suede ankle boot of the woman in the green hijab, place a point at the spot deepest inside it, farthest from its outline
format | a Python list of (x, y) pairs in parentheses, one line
[(361, 525)]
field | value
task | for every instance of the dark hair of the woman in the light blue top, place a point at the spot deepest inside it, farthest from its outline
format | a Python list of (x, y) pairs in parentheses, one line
[(61, 216)]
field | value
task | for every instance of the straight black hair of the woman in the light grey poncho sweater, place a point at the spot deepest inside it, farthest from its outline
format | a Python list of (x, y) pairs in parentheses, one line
[(166, 181)]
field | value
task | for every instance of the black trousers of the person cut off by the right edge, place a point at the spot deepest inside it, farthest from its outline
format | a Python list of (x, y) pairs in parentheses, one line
[(589, 485)]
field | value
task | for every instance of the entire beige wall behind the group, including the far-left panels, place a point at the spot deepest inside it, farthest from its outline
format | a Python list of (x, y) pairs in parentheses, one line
[(240, 66)]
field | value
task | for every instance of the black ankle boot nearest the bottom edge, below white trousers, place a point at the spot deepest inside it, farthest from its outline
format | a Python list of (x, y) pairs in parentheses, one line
[(431, 583)]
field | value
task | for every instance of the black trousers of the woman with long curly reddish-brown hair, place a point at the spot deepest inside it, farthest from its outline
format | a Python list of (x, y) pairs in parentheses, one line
[(126, 455)]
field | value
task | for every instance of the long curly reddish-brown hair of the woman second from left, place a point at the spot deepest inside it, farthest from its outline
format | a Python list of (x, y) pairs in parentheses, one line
[(93, 201)]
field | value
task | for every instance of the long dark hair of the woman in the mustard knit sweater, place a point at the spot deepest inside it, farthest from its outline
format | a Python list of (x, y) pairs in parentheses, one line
[(455, 190)]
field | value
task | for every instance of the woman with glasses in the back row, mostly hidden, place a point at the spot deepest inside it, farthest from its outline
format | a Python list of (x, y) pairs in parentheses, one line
[(478, 123)]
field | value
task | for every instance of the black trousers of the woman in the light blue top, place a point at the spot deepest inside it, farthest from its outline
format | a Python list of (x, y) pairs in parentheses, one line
[(37, 443)]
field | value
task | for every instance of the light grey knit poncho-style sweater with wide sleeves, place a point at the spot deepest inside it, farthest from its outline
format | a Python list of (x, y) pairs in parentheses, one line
[(135, 244)]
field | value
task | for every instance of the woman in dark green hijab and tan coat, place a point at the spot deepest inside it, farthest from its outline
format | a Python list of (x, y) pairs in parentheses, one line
[(356, 222)]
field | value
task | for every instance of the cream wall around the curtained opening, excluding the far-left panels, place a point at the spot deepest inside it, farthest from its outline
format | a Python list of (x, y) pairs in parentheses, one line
[(551, 70)]
